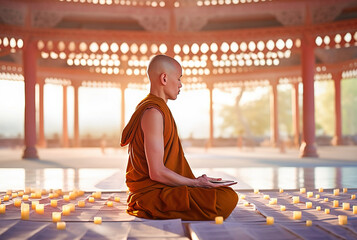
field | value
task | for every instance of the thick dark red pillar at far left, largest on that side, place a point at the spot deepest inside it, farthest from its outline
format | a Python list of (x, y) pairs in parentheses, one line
[(29, 70)]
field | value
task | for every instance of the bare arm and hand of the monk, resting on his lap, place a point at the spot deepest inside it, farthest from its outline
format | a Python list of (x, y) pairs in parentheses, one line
[(153, 127)]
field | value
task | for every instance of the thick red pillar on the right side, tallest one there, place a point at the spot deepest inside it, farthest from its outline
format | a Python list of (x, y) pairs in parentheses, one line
[(308, 147)]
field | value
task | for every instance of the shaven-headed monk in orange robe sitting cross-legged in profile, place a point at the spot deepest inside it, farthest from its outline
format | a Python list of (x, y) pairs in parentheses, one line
[(159, 178)]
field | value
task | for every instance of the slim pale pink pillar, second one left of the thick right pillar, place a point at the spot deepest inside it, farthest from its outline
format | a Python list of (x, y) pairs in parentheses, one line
[(274, 122)]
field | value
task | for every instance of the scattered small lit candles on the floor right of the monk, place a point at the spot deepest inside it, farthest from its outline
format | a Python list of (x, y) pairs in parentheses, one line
[(342, 219)]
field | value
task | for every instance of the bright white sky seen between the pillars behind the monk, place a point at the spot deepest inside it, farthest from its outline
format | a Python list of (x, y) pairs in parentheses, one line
[(99, 109)]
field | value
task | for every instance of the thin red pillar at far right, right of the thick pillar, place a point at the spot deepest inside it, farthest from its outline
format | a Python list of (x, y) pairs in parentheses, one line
[(337, 139)]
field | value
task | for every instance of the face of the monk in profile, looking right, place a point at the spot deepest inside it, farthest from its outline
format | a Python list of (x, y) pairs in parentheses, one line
[(172, 89)]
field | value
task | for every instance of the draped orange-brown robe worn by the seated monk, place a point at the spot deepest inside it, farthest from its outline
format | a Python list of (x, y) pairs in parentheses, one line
[(154, 200)]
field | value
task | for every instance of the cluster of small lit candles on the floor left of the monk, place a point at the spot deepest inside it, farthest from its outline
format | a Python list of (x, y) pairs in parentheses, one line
[(56, 216)]
